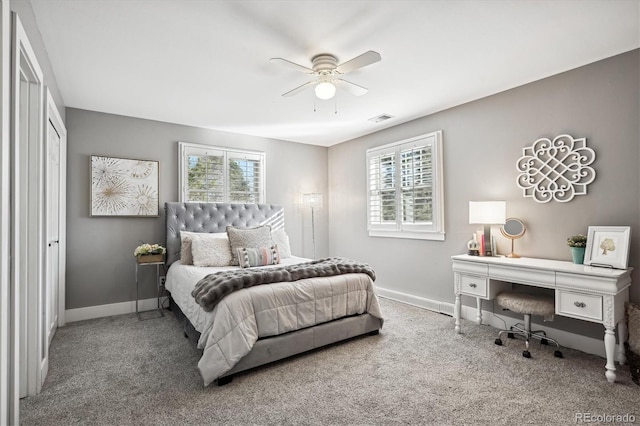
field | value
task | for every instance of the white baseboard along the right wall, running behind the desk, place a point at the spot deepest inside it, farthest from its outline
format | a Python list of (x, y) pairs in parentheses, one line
[(566, 339)]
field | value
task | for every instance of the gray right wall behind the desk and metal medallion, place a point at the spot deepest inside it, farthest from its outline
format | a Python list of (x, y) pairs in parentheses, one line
[(482, 141)]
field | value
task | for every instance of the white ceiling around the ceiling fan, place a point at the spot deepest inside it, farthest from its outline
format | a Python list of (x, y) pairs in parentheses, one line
[(206, 63)]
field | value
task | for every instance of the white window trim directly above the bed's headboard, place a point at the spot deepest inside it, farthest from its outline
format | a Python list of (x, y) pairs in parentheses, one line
[(187, 148)]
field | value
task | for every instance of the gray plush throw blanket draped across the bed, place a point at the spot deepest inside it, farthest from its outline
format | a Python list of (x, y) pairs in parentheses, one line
[(210, 290)]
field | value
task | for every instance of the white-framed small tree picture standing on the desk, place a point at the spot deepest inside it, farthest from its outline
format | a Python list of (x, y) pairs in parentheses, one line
[(608, 246)]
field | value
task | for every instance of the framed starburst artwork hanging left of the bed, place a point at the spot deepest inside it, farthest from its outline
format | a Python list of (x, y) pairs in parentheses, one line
[(123, 187)]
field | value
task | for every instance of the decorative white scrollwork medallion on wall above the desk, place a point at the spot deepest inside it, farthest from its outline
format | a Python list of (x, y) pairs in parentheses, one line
[(556, 170)]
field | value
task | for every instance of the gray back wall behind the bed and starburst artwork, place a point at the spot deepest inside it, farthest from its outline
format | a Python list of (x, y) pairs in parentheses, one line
[(100, 262)]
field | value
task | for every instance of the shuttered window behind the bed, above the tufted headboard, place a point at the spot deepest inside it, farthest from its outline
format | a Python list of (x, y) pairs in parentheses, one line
[(219, 175)]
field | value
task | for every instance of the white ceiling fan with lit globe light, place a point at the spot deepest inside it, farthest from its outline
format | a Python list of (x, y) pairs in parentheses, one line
[(327, 74)]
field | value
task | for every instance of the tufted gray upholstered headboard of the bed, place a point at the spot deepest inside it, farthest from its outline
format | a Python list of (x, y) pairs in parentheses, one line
[(214, 217)]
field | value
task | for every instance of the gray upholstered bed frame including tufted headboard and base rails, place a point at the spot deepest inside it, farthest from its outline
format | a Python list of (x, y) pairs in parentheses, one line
[(215, 217)]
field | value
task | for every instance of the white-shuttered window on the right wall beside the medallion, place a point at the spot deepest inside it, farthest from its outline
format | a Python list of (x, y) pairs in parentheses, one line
[(405, 197)]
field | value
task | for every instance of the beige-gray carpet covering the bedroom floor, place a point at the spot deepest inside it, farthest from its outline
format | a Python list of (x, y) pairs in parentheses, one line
[(119, 371)]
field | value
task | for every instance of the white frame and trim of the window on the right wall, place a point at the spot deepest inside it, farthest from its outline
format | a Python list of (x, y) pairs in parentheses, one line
[(436, 231)]
